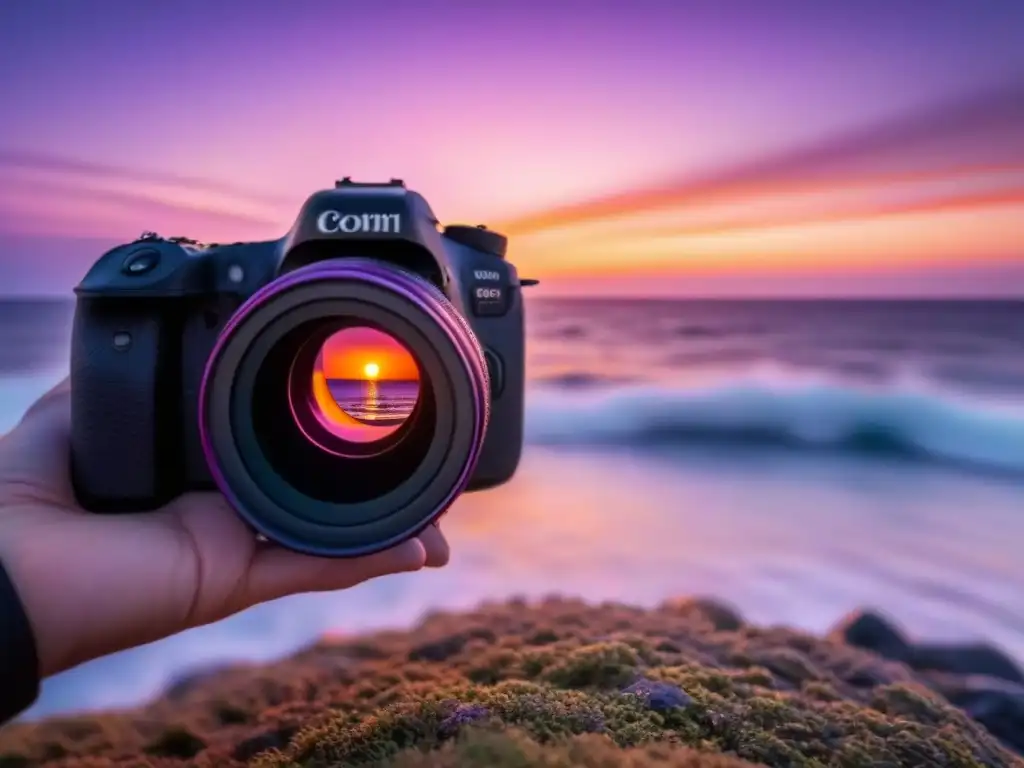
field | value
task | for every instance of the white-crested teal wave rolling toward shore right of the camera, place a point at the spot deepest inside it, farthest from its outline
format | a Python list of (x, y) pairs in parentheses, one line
[(913, 423)]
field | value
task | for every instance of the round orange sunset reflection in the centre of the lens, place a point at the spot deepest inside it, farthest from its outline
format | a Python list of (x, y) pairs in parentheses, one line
[(366, 385)]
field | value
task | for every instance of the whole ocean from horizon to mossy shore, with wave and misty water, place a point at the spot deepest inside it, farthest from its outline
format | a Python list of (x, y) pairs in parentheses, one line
[(797, 459)]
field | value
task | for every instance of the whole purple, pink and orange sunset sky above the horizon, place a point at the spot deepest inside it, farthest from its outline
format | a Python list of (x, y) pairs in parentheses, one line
[(692, 148)]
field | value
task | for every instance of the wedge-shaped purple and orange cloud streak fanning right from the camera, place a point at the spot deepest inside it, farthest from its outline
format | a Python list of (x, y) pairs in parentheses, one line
[(940, 188)]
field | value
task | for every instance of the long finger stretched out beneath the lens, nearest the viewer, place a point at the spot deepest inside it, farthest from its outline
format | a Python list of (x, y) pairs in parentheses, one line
[(276, 572)]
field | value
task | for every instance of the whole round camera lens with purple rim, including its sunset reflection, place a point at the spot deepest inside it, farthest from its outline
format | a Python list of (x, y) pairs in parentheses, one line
[(344, 407)]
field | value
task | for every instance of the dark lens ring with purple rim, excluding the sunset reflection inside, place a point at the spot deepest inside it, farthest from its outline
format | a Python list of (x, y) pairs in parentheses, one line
[(302, 496)]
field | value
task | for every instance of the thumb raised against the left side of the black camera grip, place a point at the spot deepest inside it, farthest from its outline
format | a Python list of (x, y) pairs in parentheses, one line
[(36, 453)]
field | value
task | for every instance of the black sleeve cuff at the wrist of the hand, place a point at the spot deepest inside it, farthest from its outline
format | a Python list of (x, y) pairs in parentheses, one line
[(19, 664)]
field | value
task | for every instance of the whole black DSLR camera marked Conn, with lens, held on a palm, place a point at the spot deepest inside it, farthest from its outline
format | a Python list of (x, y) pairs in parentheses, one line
[(340, 387)]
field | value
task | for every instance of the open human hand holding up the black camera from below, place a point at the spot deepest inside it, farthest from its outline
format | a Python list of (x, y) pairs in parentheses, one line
[(93, 585)]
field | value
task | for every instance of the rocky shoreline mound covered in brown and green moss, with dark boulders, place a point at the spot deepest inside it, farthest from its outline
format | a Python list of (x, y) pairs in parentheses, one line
[(566, 684)]
